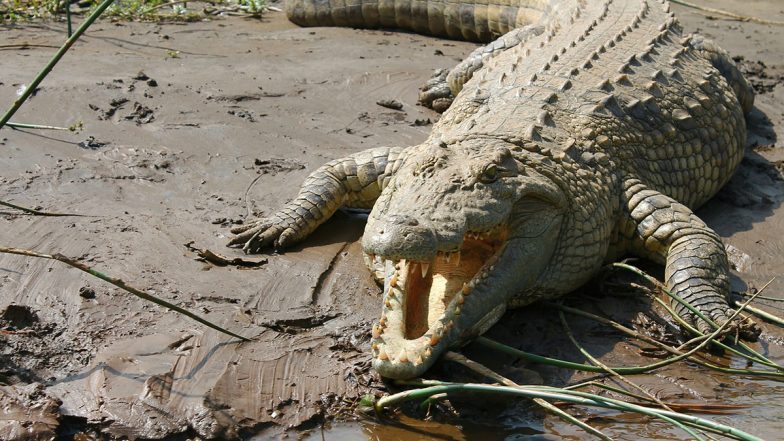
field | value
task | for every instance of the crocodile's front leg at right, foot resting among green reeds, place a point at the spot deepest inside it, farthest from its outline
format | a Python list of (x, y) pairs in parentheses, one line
[(696, 268)]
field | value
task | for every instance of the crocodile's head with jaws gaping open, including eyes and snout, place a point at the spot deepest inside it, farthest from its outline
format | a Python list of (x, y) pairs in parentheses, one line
[(458, 231)]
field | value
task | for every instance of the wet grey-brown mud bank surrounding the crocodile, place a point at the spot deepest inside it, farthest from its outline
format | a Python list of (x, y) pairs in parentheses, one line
[(190, 129)]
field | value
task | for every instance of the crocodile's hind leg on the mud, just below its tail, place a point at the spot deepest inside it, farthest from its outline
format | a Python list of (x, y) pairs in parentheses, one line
[(442, 88)]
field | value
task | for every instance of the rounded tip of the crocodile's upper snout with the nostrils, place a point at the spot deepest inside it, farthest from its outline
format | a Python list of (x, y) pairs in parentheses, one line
[(400, 237)]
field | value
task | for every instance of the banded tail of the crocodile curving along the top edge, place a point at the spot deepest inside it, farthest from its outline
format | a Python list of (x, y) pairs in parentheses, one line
[(472, 20)]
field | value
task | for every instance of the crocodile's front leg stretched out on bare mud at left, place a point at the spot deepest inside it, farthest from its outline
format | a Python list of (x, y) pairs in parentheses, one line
[(355, 181)]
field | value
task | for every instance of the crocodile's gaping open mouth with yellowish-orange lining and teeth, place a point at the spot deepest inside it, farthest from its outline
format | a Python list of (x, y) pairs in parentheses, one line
[(423, 299)]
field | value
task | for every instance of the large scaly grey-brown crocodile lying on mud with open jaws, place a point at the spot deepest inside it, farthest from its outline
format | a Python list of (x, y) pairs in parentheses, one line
[(587, 131)]
